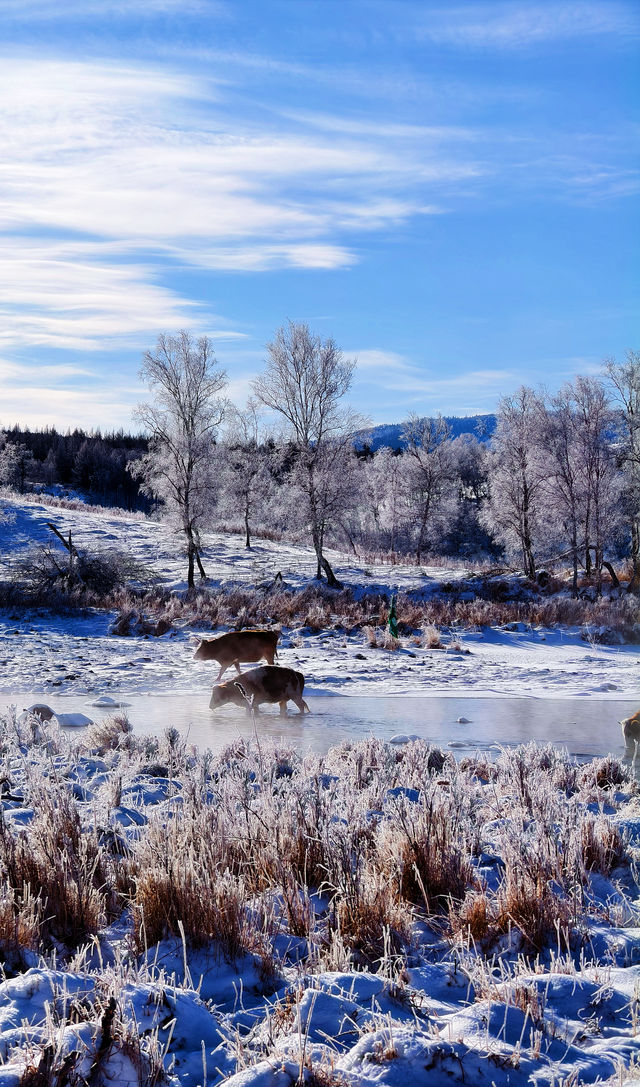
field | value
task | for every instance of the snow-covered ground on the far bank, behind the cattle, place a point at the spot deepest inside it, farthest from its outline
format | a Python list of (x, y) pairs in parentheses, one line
[(41, 654)]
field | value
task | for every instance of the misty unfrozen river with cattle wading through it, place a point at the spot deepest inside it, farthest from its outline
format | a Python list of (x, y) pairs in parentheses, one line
[(586, 728)]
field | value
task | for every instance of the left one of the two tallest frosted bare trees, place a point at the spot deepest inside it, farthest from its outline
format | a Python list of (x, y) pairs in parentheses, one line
[(182, 421)]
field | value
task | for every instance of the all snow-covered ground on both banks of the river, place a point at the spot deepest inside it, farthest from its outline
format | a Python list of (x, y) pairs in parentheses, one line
[(451, 1016)]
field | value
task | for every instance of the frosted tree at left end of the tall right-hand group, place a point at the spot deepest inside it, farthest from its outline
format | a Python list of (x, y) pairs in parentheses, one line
[(518, 473)]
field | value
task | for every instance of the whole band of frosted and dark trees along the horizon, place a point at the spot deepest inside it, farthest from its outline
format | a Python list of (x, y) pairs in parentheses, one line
[(559, 483)]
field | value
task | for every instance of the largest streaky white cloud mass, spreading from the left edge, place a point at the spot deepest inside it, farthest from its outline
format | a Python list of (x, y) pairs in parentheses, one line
[(117, 170)]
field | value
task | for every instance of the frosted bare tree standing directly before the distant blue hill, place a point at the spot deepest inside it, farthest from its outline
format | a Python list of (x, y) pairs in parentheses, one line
[(429, 472)]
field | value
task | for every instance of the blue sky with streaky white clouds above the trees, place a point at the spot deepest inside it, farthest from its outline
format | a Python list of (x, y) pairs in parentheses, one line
[(449, 191)]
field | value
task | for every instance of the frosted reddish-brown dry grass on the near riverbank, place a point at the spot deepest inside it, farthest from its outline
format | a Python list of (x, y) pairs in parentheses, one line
[(245, 844)]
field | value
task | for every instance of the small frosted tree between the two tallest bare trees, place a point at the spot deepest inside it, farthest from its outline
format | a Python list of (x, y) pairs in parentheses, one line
[(247, 482)]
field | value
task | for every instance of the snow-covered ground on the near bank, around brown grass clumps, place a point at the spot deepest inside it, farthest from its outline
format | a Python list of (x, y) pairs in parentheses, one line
[(449, 1017)]
